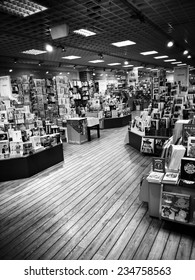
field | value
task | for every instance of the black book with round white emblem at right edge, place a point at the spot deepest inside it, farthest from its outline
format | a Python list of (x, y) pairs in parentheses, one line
[(188, 169)]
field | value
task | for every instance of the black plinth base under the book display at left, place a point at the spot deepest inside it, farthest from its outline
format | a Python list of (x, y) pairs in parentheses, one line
[(24, 167)]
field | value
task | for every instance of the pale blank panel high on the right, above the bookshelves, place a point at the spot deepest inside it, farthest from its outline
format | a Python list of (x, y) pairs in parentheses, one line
[(181, 75)]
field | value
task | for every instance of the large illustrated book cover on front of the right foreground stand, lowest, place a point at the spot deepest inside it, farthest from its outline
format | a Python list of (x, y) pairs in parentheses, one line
[(175, 206)]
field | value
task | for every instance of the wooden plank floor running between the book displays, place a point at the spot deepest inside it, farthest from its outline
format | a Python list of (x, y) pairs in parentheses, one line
[(87, 207)]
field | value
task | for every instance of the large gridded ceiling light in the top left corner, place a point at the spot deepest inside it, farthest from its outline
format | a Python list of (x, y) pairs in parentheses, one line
[(21, 8)]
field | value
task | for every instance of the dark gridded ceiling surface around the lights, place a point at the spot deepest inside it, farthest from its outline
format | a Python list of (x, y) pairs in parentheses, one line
[(149, 23)]
